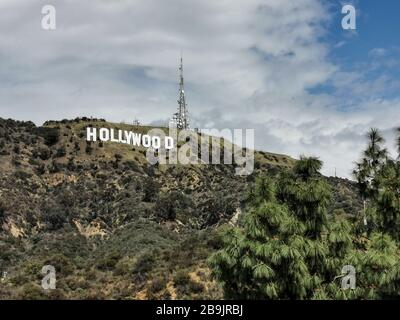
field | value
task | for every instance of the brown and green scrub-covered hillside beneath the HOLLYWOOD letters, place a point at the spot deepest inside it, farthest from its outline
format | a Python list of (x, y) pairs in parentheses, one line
[(113, 225)]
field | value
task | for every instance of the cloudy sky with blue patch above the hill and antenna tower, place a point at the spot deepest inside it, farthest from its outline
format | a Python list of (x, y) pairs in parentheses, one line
[(284, 68)]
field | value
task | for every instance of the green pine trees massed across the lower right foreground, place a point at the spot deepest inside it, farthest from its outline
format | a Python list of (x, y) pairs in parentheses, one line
[(287, 247)]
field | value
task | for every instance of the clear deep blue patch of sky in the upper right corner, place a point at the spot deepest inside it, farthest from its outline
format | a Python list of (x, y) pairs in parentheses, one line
[(376, 41)]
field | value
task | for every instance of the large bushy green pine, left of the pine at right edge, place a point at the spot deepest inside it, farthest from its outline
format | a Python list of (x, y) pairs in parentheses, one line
[(279, 251)]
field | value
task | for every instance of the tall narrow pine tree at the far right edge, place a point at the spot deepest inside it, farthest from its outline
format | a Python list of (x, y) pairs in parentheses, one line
[(377, 259)]
